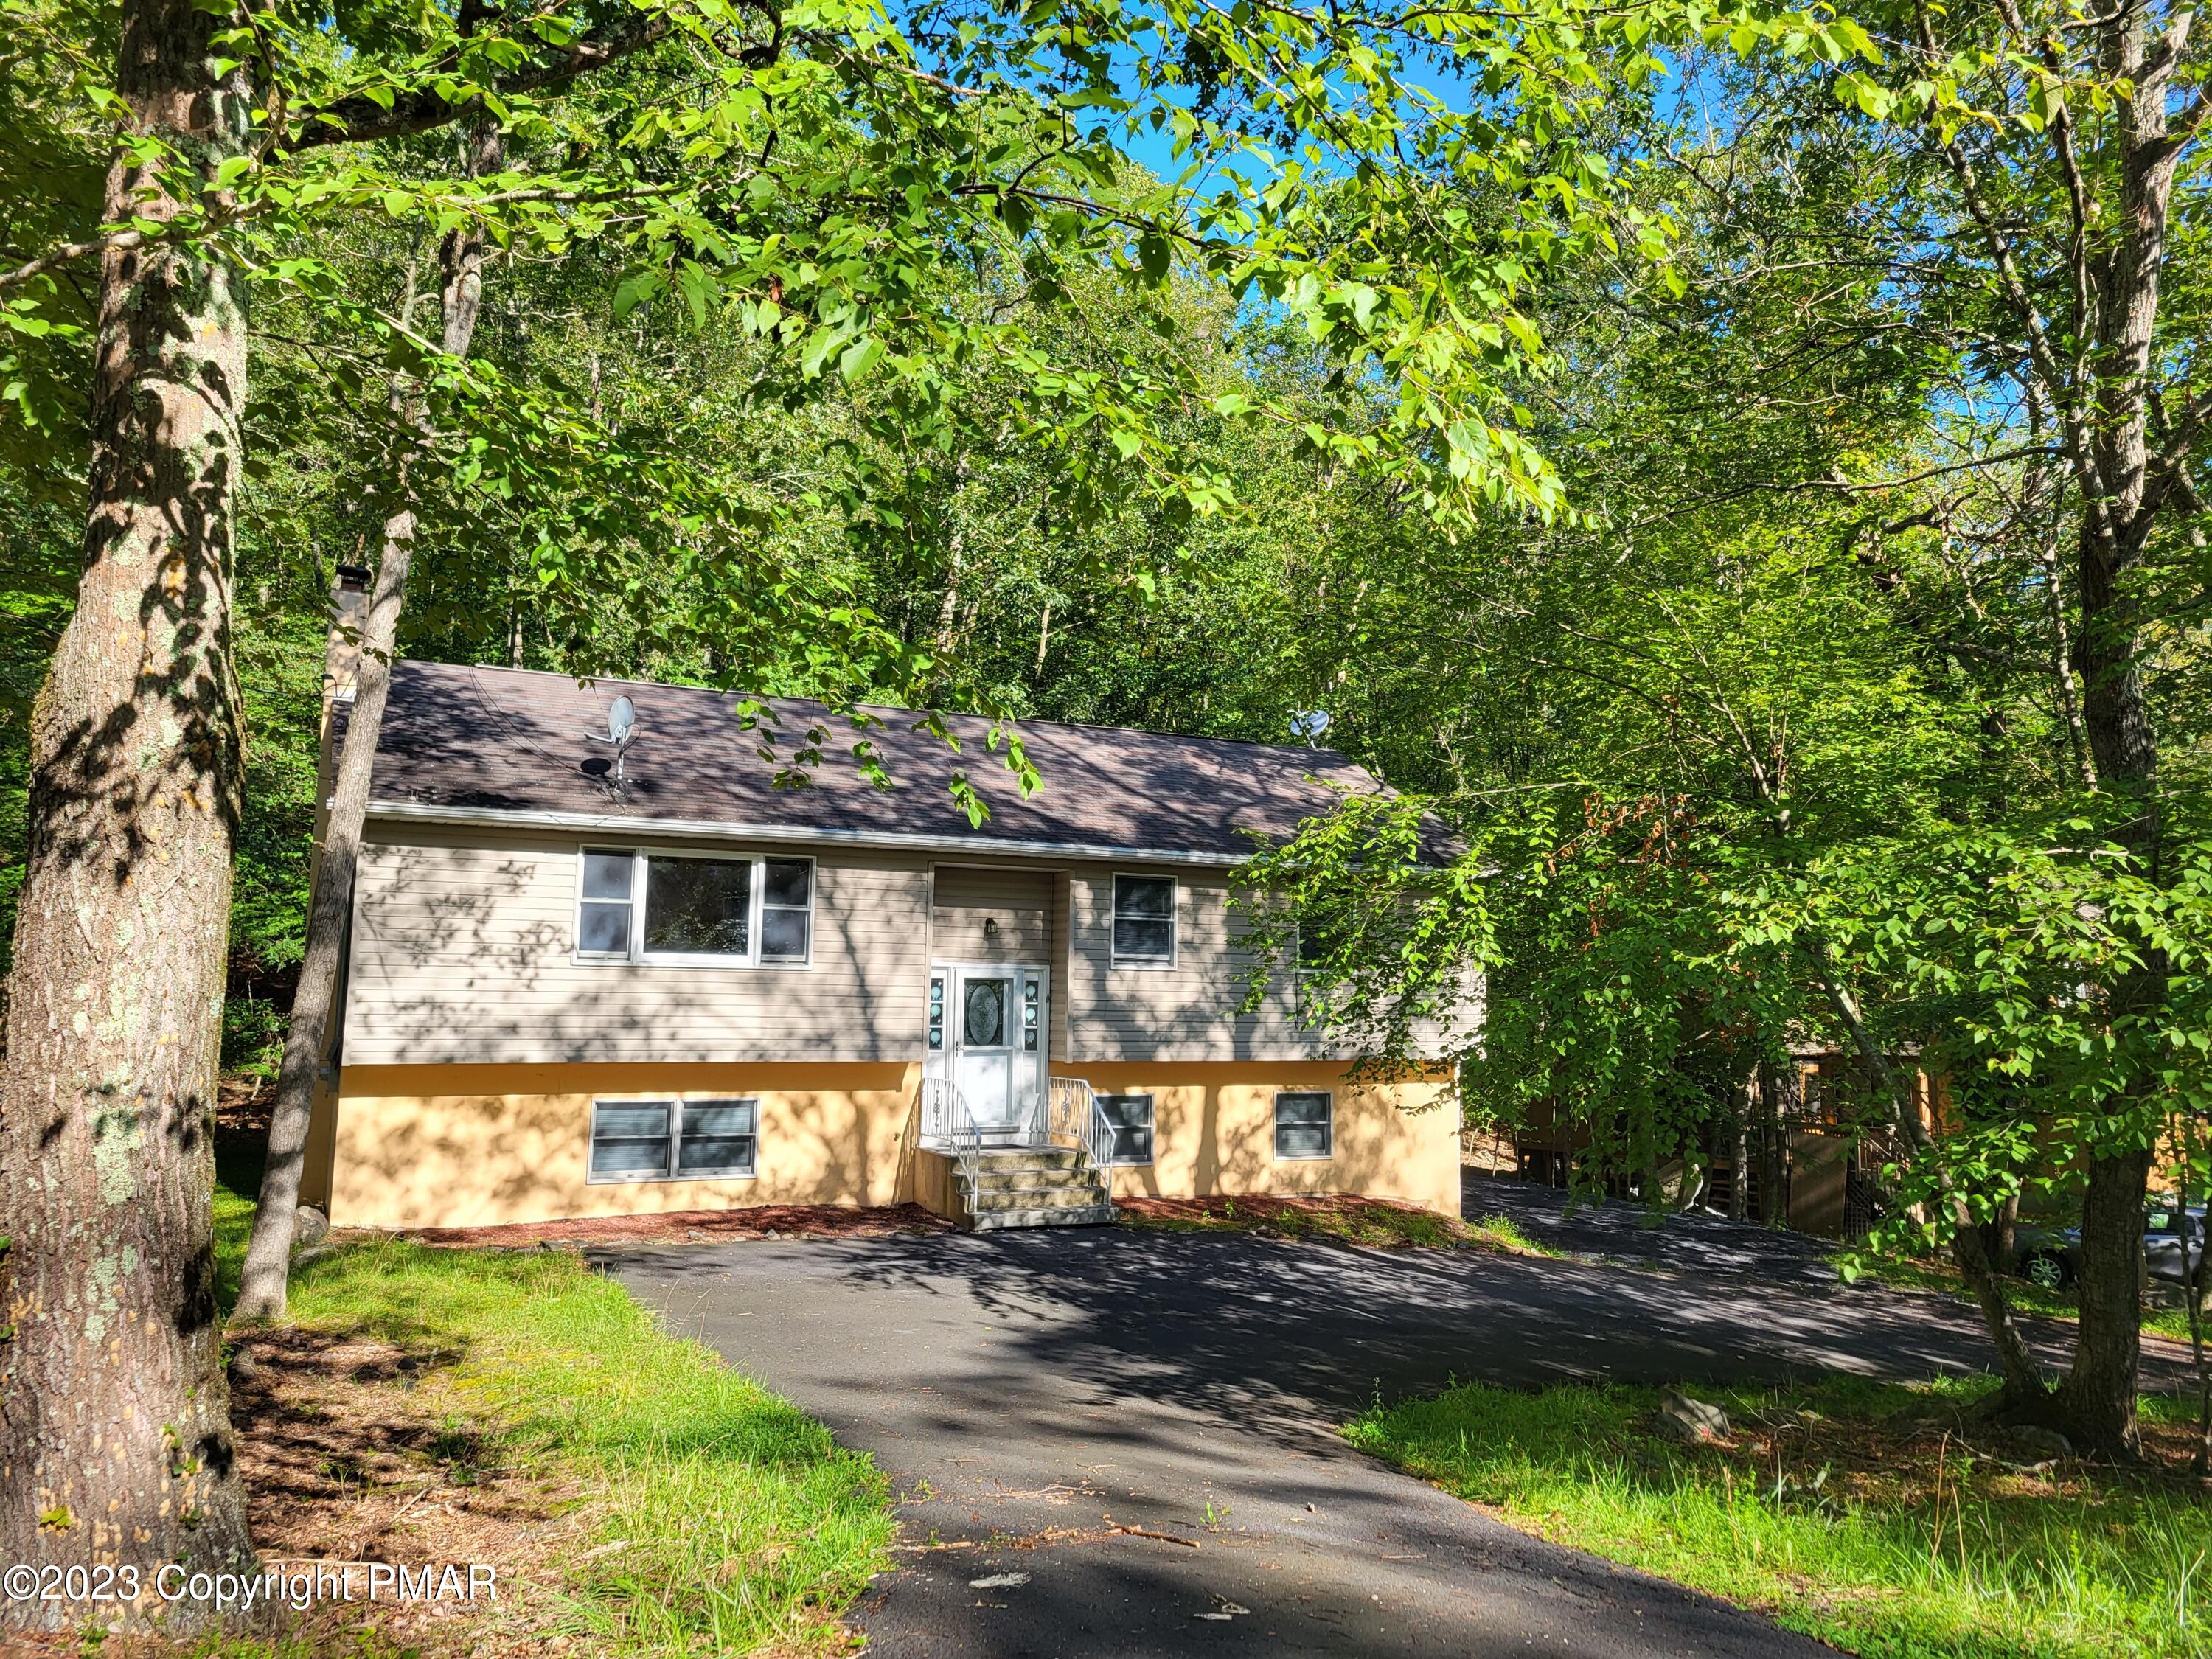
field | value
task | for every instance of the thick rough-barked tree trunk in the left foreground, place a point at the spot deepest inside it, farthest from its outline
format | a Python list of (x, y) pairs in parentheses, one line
[(114, 1417)]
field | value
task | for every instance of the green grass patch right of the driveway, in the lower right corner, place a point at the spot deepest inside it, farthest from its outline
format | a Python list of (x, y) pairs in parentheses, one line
[(1875, 1519)]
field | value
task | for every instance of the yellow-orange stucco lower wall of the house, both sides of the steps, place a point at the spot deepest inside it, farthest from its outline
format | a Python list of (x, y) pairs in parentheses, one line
[(468, 1147)]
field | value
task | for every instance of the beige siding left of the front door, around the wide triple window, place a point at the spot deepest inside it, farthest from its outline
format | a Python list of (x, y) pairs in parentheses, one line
[(466, 954)]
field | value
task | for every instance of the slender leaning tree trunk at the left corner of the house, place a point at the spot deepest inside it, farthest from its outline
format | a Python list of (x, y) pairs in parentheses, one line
[(269, 1255)]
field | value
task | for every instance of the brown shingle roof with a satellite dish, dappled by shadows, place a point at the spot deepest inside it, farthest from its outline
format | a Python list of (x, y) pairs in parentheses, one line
[(501, 740)]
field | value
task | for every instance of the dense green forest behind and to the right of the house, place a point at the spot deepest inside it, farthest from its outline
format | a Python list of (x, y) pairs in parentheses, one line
[(1764, 702)]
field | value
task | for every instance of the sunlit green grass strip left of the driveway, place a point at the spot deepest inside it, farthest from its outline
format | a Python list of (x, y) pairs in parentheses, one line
[(716, 1519)]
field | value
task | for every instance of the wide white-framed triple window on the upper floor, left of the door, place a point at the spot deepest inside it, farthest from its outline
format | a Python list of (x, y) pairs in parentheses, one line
[(696, 908)]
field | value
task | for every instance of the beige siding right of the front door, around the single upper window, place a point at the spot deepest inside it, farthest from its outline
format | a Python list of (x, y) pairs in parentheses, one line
[(1182, 1012)]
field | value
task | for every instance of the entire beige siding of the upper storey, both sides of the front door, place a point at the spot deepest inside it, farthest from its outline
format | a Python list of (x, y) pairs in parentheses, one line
[(463, 952)]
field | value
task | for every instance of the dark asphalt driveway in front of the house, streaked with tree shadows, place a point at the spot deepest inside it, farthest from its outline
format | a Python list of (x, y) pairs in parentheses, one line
[(1127, 1443)]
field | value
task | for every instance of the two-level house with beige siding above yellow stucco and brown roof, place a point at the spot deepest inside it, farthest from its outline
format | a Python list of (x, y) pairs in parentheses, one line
[(669, 979)]
